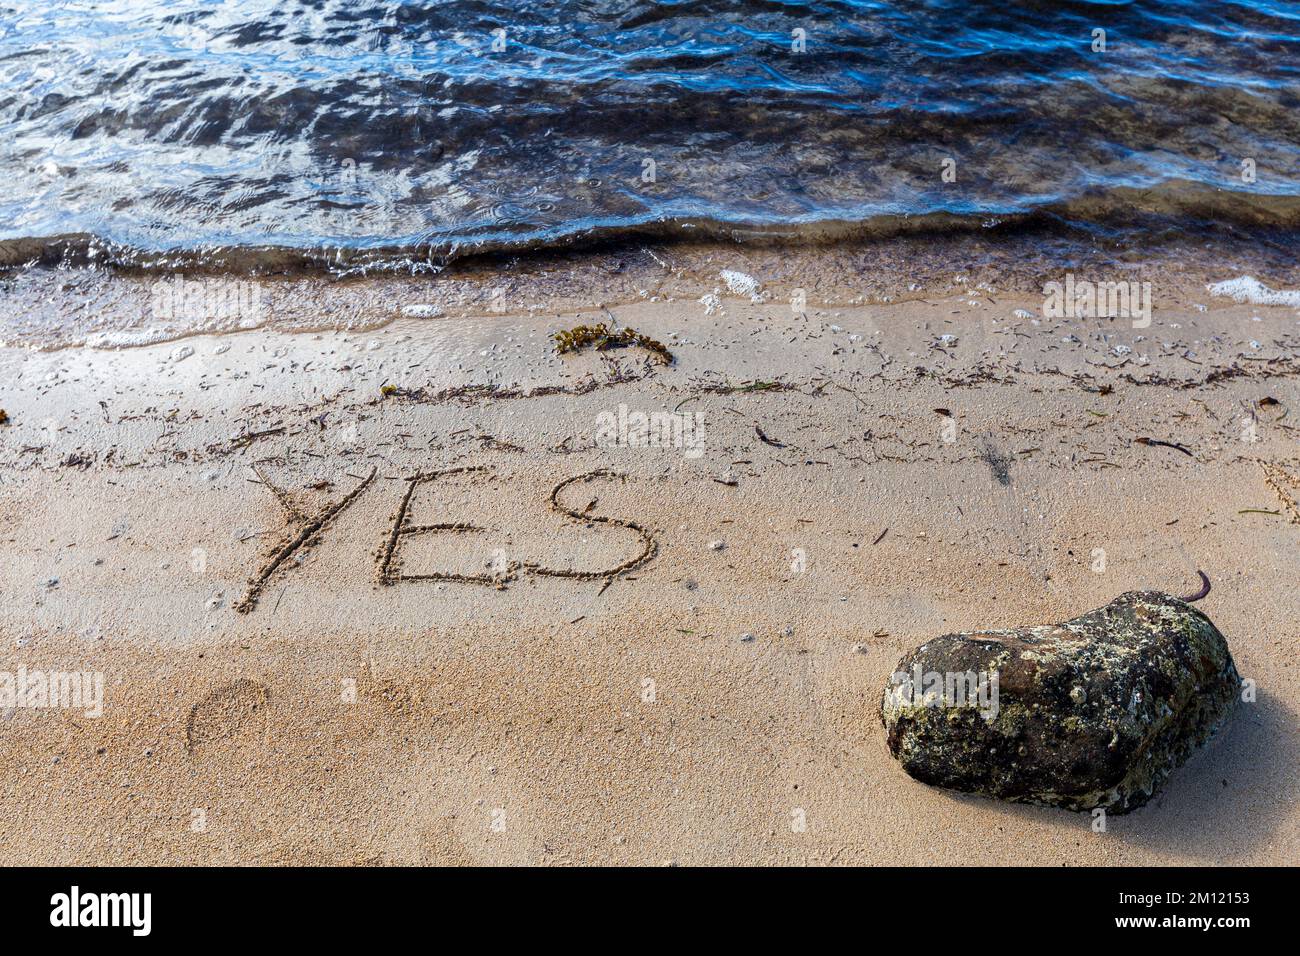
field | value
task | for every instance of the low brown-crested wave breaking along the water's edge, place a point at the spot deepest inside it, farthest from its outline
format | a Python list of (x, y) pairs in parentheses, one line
[(1172, 213)]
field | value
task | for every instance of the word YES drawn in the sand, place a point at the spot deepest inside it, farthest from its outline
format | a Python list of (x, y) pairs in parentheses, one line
[(306, 530)]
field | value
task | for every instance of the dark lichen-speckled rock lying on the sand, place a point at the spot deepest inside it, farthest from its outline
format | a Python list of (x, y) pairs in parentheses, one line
[(1095, 712)]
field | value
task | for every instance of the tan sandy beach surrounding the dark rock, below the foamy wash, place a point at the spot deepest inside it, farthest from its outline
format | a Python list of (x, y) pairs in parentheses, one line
[(851, 481)]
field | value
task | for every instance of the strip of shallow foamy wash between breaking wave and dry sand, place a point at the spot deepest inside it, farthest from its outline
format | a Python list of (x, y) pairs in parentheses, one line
[(50, 308)]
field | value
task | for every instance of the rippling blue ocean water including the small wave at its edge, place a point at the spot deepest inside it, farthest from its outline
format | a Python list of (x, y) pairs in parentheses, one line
[(362, 135)]
